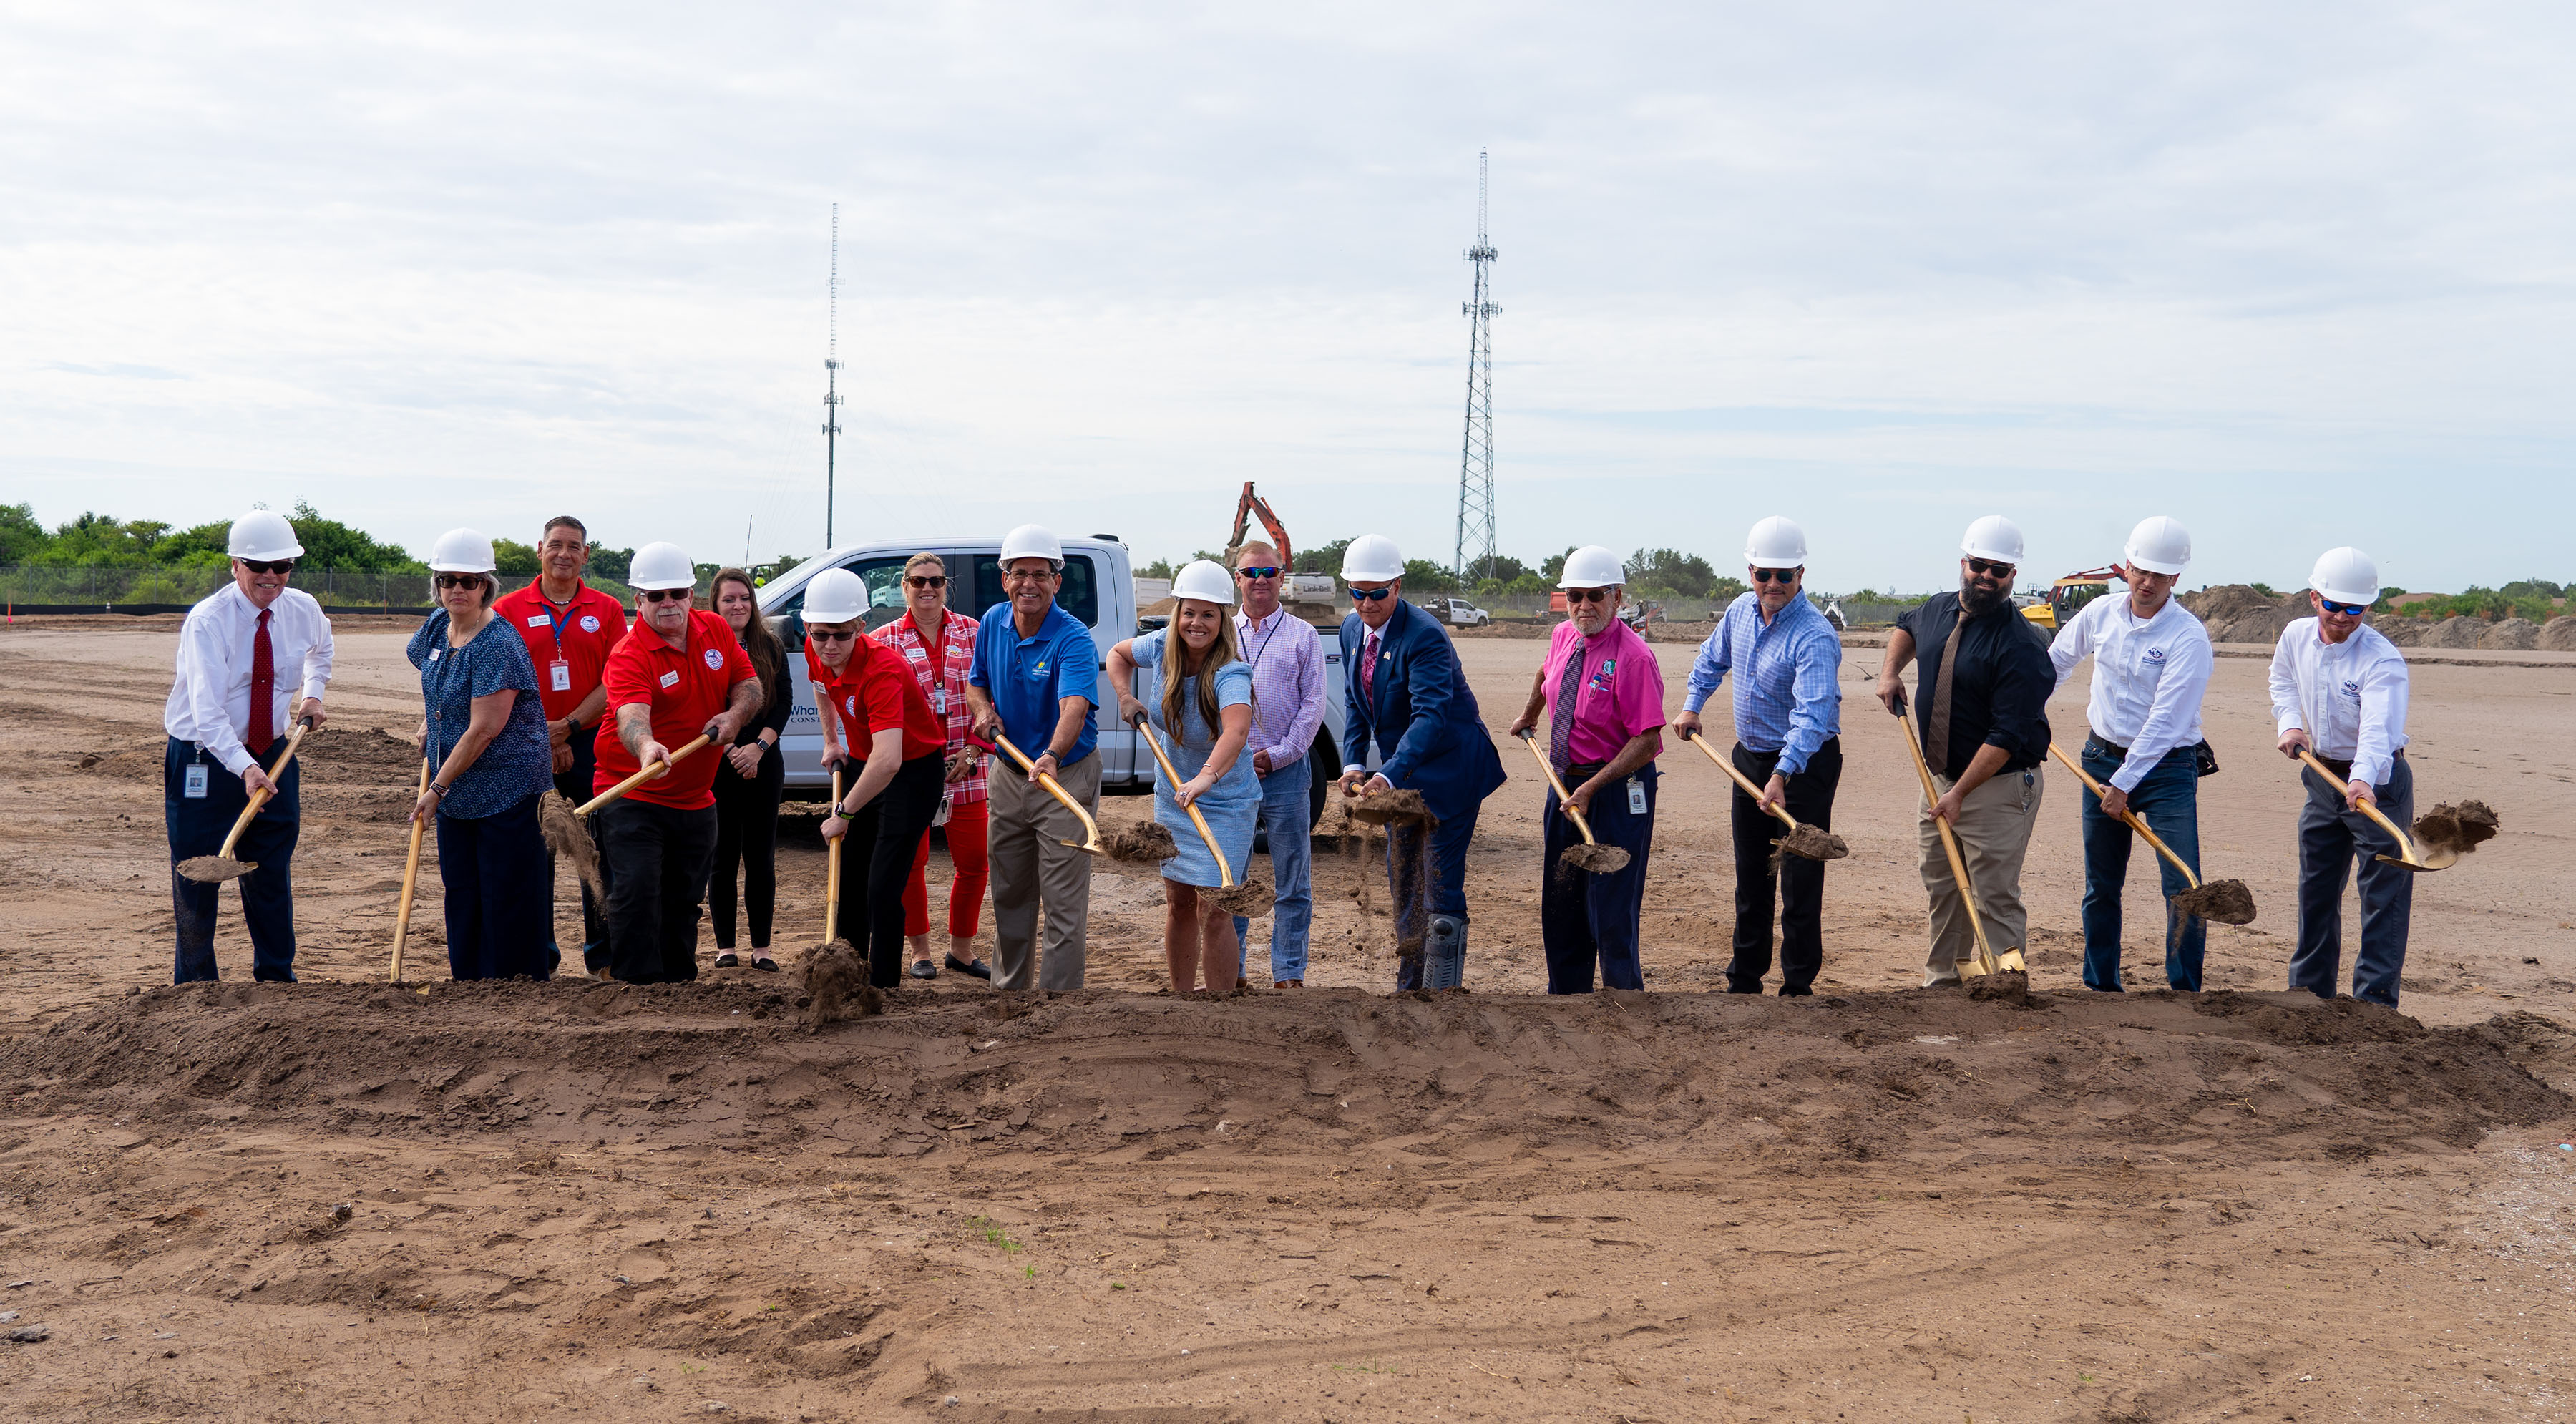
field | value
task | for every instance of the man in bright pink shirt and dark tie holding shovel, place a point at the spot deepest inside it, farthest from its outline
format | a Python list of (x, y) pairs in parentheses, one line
[(1606, 727)]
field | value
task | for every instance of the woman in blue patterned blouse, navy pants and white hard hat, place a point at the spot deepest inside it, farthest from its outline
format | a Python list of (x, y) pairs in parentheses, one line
[(486, 730)]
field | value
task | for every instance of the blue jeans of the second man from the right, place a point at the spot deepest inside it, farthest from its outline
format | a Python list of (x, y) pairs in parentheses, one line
[(2168, 800)]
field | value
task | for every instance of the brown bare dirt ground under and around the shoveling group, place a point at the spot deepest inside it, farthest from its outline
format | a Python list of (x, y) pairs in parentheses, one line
[(357, 1201)]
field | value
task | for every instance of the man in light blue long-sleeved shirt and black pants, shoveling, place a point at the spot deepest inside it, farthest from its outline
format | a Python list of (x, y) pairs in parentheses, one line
[(1786, 660)]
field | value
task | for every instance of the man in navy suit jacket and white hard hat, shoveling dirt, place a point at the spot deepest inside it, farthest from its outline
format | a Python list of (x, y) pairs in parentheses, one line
[(1405, 694)]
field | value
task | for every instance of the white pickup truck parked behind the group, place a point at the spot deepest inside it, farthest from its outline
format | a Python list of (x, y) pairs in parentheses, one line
[(1099, 588)]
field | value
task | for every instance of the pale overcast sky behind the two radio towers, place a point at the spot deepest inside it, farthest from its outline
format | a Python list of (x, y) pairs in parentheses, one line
[(2291, 274)]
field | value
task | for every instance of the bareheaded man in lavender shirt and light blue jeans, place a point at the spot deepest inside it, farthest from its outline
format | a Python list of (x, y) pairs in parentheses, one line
[(1287, 660)]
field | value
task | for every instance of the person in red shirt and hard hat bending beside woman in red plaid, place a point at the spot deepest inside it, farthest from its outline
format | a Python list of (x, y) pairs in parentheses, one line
[(872, 712)]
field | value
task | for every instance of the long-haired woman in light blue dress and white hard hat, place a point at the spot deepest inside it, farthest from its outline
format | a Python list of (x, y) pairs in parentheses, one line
[(1204, 717)]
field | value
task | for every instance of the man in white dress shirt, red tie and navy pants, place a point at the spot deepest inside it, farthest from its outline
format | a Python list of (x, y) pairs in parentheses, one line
[(228, 717)]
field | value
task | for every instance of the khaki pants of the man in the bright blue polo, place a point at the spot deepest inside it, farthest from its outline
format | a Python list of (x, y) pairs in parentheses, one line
[(1029, 867)]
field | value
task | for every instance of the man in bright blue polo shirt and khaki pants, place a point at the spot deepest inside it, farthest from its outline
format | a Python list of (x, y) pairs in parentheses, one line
[(1032, 681)]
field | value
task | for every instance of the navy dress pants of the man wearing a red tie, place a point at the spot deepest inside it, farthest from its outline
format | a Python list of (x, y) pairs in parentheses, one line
[(269, 895)]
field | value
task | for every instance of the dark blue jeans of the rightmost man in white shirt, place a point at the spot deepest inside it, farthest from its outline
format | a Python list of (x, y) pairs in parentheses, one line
[(2330, 841)]
